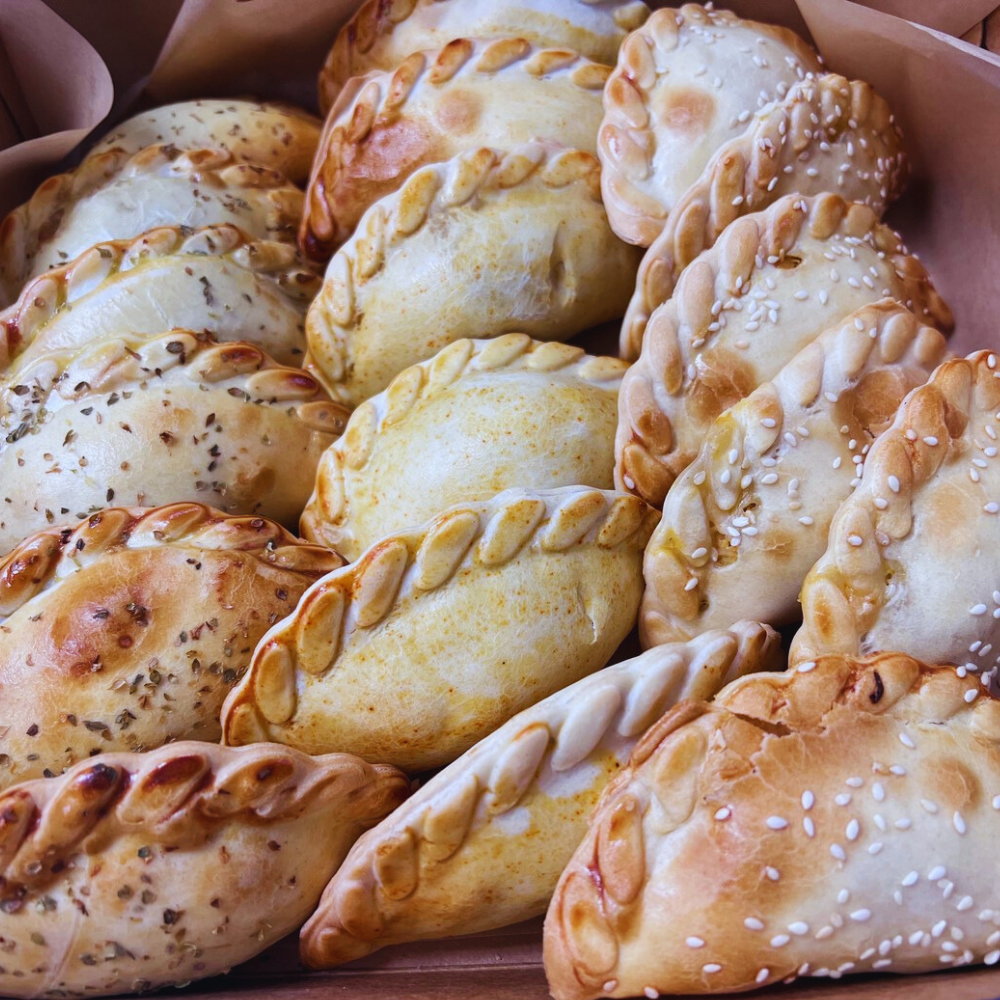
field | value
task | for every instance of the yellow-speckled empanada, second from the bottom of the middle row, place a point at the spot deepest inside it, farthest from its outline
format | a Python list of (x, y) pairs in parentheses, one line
[(438, 635)]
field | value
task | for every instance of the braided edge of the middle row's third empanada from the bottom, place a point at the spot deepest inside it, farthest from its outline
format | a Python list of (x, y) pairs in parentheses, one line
[(327, 517)]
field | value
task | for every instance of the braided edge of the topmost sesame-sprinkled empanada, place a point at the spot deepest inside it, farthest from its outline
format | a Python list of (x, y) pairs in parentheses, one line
[(627, 131)]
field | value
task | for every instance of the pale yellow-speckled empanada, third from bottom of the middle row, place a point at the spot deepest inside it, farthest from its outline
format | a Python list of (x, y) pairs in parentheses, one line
[(481, 417)]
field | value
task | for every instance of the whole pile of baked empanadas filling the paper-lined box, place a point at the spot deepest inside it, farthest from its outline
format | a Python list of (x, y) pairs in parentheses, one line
[(484, 527)]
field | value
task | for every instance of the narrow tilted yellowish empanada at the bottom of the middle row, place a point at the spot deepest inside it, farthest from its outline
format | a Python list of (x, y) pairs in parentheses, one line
[(482, 844)]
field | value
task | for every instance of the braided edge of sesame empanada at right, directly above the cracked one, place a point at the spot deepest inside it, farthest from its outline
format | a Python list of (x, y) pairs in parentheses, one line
[(845, 591)]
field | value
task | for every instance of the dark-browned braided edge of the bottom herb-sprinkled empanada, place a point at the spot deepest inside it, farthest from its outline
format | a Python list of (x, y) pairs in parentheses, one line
[(179, 788)]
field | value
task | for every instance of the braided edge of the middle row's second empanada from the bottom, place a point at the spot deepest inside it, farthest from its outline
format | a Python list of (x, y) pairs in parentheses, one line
[(468, 536)]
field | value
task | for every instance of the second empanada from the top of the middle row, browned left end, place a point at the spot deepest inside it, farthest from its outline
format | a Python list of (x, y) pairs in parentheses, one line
[(435, 105)]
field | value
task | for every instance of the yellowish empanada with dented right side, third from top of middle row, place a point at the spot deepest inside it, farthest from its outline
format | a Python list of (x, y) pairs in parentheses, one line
[(490, 242)]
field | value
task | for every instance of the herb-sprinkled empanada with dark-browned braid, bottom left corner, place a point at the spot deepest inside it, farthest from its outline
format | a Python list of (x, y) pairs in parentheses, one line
[(136, 871)]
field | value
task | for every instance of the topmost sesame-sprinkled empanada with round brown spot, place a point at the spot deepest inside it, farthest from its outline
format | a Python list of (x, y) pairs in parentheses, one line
[(686, 82)]
